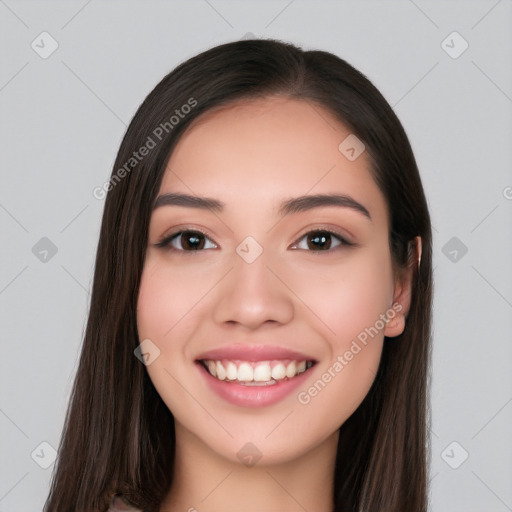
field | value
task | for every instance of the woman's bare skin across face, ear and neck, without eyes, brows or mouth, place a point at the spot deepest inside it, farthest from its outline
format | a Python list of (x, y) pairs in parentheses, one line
[(253, 155)]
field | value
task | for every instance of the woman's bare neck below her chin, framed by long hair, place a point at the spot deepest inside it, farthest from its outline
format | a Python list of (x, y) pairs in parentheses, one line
[(207, 482)]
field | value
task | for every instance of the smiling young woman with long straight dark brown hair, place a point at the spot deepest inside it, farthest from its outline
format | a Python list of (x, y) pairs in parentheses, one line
[(259, 328)]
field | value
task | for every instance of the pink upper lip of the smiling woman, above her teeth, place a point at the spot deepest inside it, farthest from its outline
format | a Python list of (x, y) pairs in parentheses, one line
[(253, 353)]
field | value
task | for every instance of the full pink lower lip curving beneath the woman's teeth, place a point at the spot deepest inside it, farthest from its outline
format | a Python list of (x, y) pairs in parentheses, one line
[(253, 396)]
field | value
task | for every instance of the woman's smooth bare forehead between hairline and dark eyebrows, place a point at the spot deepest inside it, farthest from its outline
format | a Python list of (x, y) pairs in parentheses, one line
[(264, 150)]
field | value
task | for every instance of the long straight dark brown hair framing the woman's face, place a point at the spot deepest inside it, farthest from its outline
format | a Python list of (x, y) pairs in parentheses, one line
[(118, 435)]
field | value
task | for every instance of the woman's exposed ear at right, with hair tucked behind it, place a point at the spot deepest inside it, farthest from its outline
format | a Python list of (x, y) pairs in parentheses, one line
[(402, 293)]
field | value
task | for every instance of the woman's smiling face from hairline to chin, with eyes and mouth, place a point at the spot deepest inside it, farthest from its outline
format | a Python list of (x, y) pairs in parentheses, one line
[(287, 303)]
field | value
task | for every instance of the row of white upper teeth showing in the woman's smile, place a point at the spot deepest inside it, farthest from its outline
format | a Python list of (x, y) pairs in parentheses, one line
[(261, 371)]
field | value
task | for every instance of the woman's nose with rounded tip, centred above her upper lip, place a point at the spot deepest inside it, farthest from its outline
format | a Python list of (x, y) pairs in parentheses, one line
[(252, 294)]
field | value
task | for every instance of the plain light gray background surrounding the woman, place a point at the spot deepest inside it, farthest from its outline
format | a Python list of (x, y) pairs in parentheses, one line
[(63, 117)]
